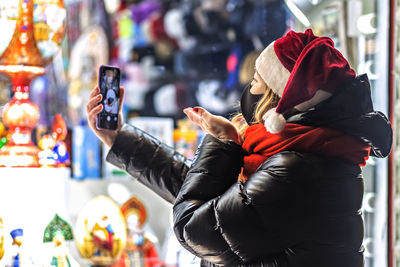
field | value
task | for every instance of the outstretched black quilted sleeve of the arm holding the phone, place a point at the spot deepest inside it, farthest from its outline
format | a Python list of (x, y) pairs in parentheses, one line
[(155, 164)]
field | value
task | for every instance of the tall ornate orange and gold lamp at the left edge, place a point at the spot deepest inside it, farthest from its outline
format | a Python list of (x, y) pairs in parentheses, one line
[(33, 32)]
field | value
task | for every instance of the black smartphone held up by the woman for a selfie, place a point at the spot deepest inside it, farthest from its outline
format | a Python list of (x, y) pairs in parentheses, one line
[(109, 81)]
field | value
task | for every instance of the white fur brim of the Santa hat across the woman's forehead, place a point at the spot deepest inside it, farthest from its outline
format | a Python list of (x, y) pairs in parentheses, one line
[(271, 70)]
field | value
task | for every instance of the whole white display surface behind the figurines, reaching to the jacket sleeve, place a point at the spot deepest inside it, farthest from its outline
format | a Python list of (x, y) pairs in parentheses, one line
[(30, 197)]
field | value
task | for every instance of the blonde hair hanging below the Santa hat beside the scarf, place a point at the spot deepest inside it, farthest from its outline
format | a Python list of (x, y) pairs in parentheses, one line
[(268, 101)]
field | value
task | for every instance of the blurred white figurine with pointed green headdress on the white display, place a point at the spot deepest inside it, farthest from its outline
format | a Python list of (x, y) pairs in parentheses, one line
[(58, 232)]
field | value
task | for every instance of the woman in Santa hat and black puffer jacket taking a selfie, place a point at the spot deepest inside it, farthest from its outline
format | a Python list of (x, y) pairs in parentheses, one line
[(307, 125)]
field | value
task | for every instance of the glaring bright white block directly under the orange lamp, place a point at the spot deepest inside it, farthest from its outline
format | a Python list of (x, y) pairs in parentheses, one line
[(29, 199)]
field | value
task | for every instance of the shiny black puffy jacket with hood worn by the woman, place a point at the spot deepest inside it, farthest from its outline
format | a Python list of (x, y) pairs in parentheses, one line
[(297, 209)]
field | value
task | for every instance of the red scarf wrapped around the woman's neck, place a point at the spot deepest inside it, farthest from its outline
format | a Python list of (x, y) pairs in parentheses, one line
[(260, 144)]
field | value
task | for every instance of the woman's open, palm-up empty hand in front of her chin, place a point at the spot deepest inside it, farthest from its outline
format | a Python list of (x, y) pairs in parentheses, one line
[(217, 126)]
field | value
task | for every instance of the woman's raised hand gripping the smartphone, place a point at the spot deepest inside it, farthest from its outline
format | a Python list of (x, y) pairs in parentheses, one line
[(93, 108)]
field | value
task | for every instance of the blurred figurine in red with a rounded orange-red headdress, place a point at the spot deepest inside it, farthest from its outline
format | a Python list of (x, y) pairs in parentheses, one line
[(140, 250)]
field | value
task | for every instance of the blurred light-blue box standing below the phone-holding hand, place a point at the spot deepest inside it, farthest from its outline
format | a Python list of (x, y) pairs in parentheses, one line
[(86, 160)]
